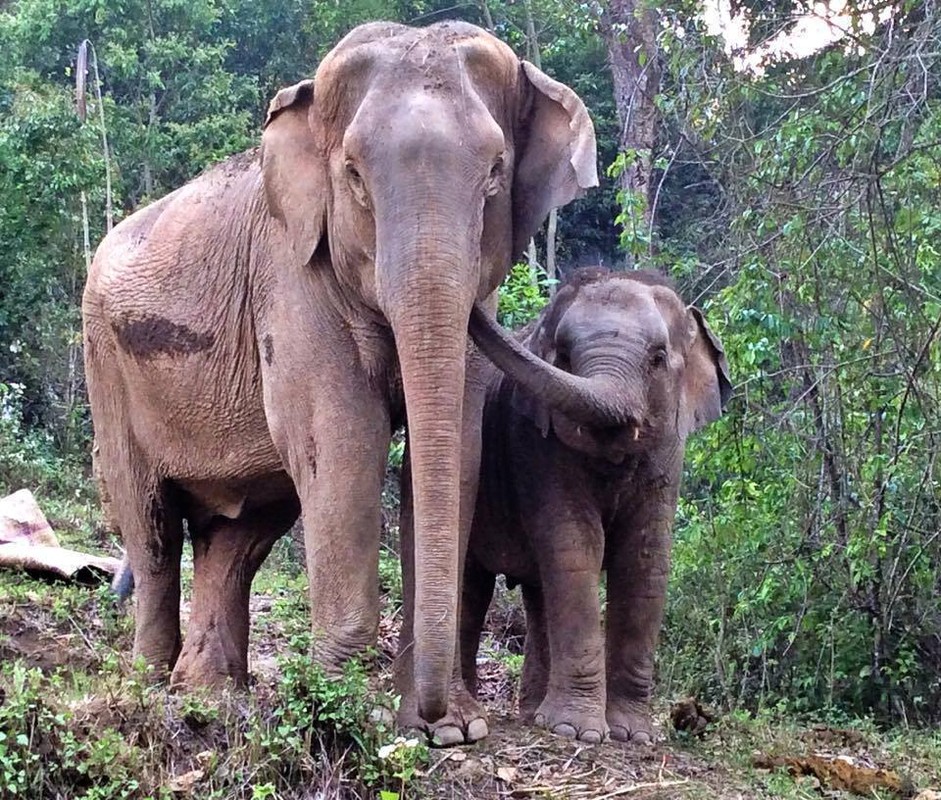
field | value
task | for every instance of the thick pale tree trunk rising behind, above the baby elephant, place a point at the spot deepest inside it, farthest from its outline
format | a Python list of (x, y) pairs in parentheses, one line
[(630, 29)]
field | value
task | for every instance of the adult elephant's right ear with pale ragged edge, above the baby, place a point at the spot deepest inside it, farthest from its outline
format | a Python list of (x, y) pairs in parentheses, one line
[(555, 152)]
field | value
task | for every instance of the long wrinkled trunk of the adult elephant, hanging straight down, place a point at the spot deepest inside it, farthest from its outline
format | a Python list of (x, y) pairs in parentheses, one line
[(426, 289)]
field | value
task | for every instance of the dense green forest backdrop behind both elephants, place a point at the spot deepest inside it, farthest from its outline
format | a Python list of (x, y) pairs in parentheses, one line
[(794, 196)]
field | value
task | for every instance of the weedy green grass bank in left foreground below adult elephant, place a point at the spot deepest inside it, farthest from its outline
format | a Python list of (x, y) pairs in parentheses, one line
[(126, 738)]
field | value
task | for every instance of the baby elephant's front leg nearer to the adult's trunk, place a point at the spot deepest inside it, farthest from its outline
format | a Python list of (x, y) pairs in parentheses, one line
[(570, 546)]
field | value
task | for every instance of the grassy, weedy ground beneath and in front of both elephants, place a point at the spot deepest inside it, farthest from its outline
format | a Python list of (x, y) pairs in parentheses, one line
[(70, 694)]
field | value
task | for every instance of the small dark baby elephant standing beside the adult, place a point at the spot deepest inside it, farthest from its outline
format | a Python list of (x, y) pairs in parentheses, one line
[(560, 500)]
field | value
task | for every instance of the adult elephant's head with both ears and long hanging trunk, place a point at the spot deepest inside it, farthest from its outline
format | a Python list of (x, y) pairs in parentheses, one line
[(424, 159)]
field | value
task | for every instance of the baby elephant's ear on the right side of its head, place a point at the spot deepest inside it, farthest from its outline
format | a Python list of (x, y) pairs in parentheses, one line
[(706, 383)]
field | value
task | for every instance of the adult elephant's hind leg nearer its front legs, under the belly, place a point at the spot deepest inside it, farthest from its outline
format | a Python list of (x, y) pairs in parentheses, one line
[(226, 555)]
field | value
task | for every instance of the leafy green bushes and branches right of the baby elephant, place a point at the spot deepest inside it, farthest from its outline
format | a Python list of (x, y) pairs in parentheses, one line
[(807, 555)]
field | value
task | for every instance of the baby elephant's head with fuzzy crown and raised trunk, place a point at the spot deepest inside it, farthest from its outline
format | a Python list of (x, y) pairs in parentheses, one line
[(654, 368)]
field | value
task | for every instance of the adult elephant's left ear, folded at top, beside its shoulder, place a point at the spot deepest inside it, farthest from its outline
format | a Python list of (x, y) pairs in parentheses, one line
[(293, 169)]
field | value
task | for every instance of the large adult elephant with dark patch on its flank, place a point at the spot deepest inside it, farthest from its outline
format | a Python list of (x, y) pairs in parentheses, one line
[(252, 338)]
